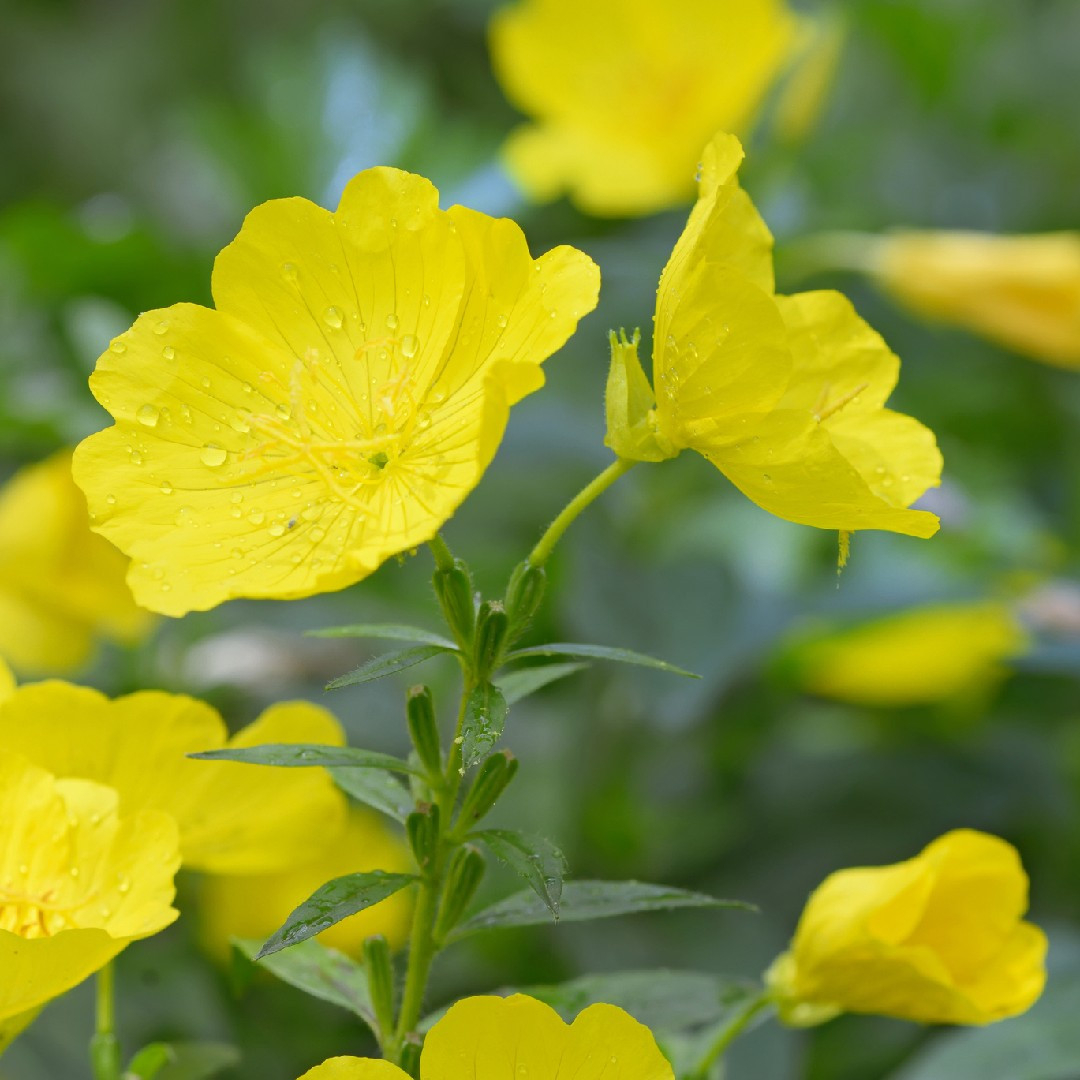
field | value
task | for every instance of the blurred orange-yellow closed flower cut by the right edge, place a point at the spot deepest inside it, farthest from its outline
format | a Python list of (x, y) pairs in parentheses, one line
[(1022, 292)]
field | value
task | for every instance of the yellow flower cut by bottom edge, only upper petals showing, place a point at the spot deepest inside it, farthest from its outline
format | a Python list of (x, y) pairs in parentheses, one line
[(489, 1038)]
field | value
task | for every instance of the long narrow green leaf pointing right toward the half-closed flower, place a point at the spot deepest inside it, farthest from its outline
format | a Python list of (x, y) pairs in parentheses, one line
[(591, 900)]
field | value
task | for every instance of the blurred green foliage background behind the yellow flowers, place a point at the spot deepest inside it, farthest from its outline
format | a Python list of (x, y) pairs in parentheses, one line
[(134, 137)]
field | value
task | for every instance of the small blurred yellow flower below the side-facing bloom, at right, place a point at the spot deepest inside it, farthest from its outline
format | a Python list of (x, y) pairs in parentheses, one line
[(917, 657)]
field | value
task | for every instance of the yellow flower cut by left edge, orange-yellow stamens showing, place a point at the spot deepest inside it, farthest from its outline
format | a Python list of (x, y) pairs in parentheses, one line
[(78, 882)]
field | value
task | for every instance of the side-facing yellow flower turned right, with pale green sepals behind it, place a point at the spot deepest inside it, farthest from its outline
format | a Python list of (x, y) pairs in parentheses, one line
[(785, 395)]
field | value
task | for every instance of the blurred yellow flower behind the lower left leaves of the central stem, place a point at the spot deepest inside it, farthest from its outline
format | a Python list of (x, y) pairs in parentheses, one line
[(255, 906)]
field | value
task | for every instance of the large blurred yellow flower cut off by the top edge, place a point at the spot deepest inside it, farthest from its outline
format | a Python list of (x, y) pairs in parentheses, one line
[(625, 93)]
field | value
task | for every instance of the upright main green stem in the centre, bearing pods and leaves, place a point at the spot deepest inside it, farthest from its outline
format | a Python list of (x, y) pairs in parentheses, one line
[(423, 949)]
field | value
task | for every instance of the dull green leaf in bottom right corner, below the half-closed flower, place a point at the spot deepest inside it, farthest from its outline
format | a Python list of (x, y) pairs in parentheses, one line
[(1043, 1045)]
